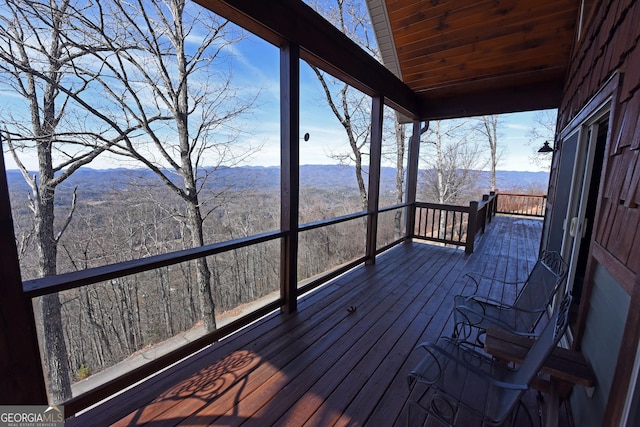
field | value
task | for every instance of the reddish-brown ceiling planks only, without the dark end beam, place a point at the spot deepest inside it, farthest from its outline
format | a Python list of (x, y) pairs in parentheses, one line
[(480, 33)]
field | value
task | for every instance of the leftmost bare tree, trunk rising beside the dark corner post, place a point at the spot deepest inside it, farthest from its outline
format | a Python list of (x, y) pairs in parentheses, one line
[(37, 65)]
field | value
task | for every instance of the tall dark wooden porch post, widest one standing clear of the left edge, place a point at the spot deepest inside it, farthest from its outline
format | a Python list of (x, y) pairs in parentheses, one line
[(289, 172)]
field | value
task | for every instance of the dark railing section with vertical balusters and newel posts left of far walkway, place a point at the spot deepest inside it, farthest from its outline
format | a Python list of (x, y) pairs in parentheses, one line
[(452, 224)]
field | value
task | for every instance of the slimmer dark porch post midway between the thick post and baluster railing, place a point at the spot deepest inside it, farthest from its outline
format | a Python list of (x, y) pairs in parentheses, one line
[(373, 199)]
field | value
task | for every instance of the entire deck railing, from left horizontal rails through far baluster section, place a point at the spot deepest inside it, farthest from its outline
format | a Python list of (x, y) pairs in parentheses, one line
[(447, 224)]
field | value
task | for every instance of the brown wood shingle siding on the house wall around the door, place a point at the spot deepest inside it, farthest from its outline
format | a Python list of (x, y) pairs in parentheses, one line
[(606, 62)]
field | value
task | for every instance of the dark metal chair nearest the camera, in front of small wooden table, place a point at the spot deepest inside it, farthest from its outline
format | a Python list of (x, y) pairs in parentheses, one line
[(456, 385)]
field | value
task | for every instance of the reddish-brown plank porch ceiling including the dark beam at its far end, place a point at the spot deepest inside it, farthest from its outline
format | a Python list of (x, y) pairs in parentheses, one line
[(464, 47)]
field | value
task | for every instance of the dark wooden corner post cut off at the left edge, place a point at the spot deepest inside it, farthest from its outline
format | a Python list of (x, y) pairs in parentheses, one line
[(20, 366)]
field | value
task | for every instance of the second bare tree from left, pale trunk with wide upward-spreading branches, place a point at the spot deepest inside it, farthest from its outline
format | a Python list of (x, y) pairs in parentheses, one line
[(194, 103)]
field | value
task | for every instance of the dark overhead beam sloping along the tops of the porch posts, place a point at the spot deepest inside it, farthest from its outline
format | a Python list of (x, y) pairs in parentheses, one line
[(321, 44)]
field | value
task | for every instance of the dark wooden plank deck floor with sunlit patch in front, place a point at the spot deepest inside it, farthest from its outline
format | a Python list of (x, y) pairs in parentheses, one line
[(328, 364)]
